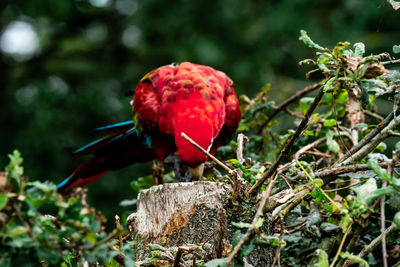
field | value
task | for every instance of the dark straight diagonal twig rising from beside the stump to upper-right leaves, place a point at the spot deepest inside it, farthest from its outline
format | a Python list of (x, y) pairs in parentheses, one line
[(285, 151)]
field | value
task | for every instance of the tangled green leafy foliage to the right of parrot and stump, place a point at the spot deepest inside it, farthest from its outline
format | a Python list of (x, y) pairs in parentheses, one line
[(339, 207)]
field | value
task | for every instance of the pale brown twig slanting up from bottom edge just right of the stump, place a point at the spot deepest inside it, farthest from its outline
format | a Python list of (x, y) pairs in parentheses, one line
[(251, 230)]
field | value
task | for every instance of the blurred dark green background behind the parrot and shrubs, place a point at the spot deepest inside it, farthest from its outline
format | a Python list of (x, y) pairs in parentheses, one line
[(66, 65)]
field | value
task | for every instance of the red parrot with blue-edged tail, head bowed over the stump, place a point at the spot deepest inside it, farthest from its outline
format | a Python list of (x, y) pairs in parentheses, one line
[(187, 98)]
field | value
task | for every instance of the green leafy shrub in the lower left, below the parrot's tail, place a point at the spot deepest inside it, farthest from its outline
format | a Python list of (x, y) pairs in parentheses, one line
[(39, 226)]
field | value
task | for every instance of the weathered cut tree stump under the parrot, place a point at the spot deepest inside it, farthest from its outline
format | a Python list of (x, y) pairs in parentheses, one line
[(195, 214)]
